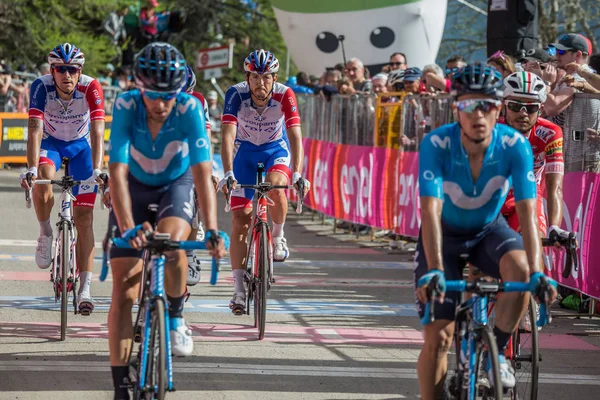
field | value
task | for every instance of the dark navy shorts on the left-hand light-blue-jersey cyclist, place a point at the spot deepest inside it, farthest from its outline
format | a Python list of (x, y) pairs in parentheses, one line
[(174, 200)]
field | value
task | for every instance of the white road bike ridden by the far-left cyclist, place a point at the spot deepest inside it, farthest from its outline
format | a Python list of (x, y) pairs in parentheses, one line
[(64, 272)]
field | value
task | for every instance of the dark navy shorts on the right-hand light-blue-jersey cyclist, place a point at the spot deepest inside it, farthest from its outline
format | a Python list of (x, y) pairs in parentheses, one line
[(484, 249)]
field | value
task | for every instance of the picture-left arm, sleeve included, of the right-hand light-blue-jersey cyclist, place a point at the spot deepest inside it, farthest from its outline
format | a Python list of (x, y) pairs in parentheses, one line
[(432, 200)]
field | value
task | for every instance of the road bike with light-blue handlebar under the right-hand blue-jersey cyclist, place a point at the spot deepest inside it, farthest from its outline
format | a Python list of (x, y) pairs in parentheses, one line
[(473, 337)]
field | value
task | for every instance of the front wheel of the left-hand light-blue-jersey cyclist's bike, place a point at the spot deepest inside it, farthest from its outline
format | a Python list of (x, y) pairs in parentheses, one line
[(156, 373)]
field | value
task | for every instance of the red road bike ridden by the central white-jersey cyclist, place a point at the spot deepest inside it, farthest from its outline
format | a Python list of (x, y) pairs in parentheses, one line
[(258, 275)]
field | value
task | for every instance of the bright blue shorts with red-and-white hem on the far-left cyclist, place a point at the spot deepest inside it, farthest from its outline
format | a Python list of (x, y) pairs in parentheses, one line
[(79, 153)]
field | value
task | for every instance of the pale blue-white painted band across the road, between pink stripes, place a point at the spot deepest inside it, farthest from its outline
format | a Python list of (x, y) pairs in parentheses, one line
[(291, 306)]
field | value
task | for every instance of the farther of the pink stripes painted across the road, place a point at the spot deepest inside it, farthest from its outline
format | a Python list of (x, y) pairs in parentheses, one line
[(226, 278)]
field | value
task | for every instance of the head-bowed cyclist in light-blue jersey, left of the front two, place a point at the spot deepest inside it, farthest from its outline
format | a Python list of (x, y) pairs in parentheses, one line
[(159, 152)]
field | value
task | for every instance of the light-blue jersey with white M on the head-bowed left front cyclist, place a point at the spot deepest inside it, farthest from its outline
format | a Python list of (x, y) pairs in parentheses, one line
[(182, 141)]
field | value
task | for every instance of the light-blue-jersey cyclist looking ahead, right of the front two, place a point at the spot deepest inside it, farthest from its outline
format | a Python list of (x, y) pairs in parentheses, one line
[(466, 170)]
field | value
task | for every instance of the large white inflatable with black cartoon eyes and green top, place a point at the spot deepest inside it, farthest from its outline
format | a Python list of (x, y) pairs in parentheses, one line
[(372, 31)]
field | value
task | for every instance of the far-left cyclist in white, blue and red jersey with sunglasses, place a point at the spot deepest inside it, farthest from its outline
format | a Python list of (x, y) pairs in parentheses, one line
[(66, 119)]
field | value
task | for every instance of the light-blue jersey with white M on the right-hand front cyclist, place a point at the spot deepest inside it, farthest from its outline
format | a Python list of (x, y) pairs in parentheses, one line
[(445, 173)]
